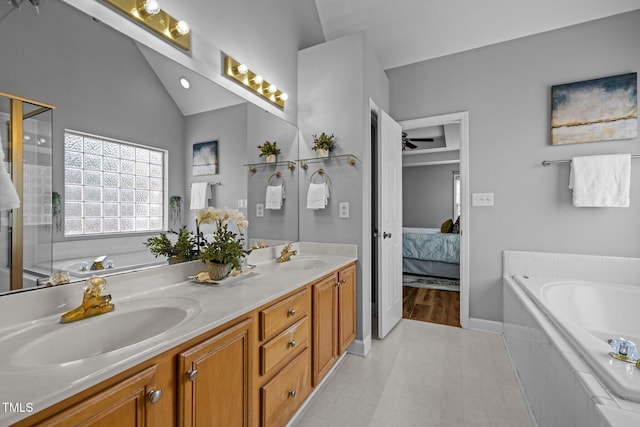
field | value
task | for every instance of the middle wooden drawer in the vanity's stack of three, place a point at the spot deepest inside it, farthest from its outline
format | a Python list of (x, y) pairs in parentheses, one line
[(284, 345)]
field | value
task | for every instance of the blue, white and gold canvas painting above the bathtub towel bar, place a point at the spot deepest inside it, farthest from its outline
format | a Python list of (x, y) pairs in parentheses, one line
[(603, 109)]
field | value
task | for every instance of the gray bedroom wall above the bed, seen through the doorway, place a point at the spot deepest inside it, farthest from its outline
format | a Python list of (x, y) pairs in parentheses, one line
[(427, 195)]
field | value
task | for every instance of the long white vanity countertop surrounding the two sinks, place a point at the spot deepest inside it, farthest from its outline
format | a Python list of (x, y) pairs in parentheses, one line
[(211, 305)]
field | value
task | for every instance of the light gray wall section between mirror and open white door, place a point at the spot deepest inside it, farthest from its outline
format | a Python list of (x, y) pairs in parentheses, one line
[(336, 81)]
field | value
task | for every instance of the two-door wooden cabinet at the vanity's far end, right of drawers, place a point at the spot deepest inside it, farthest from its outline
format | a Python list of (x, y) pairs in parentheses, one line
[(334, 319)]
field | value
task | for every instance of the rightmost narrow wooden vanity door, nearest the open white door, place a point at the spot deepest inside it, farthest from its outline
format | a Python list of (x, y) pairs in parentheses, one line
[(346, 307)]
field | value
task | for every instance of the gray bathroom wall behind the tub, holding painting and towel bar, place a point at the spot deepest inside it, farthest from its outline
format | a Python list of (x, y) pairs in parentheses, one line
[(506, 89)]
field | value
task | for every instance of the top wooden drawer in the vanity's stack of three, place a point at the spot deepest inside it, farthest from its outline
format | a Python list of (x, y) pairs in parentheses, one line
[(285, 313)]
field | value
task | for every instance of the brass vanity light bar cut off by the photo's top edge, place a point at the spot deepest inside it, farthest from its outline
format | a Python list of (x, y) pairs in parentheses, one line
[(157, 20)]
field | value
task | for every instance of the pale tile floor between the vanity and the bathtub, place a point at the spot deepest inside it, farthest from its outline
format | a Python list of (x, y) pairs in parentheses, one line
[(422, 374)]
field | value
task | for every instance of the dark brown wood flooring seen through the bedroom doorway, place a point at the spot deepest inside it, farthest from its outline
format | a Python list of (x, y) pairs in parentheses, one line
[(431, 305)]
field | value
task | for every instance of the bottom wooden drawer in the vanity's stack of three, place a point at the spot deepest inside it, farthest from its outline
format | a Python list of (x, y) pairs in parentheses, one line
[(281, 397)]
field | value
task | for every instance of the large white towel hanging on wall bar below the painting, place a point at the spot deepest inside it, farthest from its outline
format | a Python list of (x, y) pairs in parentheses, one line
[(601, 181)]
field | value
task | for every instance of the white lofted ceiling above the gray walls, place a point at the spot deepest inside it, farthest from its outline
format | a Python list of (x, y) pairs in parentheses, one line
[(403, 32)]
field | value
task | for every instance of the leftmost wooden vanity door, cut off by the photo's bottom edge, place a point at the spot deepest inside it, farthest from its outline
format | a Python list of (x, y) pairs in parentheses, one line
[(127, 403)]
